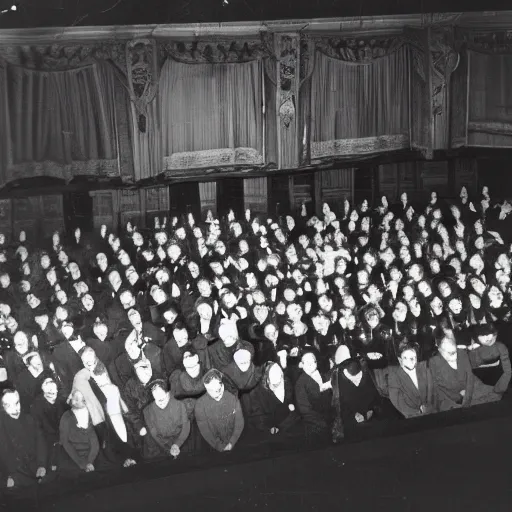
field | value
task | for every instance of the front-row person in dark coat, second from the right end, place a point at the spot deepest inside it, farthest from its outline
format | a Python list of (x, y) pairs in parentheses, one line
[(453, 377)]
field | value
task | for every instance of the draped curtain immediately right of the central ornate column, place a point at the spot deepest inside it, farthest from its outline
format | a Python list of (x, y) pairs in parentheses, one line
[(352, 100)]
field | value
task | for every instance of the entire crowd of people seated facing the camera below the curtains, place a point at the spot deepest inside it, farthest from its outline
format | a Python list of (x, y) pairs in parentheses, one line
[(119, 348)]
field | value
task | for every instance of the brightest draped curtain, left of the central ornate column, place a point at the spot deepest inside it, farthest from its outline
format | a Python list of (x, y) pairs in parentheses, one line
[(212, 110)]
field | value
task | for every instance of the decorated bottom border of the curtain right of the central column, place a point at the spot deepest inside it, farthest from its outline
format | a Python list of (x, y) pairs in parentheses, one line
[(362, 146)]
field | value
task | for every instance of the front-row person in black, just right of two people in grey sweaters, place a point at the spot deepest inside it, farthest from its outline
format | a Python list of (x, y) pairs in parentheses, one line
[(271, 403)]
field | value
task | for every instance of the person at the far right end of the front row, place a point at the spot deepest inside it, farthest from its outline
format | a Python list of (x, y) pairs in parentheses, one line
[(491, 359)]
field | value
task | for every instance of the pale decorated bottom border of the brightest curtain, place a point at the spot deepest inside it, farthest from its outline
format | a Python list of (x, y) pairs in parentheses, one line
[(213, 158)]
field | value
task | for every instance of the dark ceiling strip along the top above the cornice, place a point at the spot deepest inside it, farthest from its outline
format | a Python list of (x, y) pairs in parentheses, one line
[(61, 13)]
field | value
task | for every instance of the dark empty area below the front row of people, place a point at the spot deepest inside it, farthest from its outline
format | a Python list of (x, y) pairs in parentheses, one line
[(454, 443)]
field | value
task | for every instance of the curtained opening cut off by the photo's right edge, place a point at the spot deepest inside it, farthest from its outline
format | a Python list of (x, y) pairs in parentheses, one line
[(490, 100)]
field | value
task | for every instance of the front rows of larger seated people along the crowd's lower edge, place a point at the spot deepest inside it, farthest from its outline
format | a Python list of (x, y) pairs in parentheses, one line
[(199, 407)]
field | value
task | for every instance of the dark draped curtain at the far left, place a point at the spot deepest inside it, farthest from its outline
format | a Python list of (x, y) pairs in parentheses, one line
[(61, 123)]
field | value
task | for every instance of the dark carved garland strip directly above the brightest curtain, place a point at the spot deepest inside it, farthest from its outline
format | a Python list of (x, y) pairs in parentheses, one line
[(217, 52)]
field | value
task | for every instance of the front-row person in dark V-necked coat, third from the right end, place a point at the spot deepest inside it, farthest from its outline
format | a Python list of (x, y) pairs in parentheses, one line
[(410, 385)]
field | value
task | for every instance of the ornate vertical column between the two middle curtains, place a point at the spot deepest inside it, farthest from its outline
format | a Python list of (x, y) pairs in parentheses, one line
[(287, 49)]
